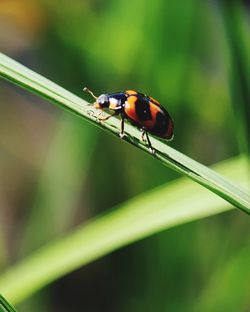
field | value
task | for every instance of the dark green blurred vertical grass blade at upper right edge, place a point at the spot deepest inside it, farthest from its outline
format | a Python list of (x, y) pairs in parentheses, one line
[(237, 33)]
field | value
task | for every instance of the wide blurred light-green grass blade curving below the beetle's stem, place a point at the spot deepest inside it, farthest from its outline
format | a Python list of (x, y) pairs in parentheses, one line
[(170, 205)]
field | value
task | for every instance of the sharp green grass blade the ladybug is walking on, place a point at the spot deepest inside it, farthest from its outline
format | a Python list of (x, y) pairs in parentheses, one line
[(34, 82)]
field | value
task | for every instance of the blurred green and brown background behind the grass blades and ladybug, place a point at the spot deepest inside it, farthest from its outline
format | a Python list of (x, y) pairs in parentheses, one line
[(57, 171)]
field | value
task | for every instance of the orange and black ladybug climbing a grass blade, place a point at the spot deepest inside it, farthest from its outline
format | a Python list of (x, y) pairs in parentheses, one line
[(141, 110)]
